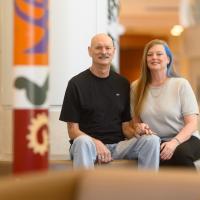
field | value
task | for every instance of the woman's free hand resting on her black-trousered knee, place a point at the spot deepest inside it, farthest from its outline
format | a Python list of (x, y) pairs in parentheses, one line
[(167, 149)]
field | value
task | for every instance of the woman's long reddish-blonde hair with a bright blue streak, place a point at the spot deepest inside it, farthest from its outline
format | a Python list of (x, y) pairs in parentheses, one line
[(145, 75)]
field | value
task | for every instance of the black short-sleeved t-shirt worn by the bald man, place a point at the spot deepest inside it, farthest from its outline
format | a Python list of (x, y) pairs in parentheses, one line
[(99, 105)]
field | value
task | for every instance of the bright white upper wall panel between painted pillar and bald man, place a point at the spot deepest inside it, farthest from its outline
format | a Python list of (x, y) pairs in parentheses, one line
[(73, 23)]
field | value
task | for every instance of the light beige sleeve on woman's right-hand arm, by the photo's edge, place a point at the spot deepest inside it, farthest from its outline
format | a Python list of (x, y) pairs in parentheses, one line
[(189, 103)]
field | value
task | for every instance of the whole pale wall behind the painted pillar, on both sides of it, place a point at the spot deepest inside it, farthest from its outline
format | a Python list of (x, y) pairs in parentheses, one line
[(72, 24)]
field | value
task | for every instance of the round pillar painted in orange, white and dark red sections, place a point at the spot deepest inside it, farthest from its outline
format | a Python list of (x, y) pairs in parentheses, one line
[(31, 80)]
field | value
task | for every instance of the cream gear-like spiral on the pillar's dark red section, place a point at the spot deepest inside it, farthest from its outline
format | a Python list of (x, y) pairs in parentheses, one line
[(36, 124)]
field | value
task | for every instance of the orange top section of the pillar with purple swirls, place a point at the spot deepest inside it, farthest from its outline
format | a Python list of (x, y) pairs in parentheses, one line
[(31, 32)]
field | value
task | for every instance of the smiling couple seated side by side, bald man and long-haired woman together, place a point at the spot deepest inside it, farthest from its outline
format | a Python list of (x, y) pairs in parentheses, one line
[(160, 128)]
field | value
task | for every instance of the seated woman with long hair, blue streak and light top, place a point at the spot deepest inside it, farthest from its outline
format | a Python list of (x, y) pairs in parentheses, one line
[(168, 105)]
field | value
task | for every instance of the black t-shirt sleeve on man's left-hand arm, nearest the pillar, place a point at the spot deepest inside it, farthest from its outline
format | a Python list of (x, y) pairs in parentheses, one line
[(70, 111)]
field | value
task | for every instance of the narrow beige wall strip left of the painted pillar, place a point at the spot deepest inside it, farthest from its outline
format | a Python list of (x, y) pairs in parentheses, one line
[(6, 79)]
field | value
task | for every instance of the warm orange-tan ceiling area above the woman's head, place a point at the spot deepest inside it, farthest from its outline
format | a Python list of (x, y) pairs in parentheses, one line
[(152, 17)]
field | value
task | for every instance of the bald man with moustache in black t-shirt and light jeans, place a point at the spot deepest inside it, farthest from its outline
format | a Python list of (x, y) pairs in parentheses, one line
[(96, 108)]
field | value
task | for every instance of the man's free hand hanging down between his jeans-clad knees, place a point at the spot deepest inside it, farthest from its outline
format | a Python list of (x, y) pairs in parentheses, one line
[(103, 153)]
